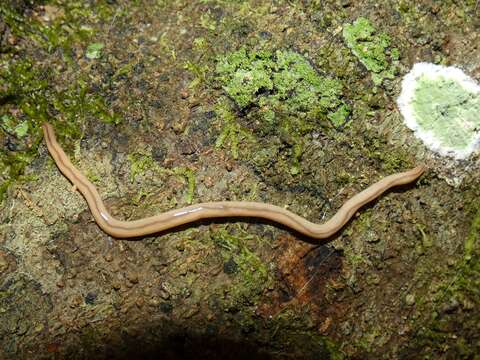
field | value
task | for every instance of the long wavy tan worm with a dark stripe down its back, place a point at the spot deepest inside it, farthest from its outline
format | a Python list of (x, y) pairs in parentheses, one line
[(221, 209)]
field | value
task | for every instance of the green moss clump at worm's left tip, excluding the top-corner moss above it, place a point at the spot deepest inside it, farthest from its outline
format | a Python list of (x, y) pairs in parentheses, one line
[(35, 102)]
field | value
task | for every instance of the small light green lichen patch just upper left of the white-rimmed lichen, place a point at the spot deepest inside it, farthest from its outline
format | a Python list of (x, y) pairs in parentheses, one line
[(371, 49)]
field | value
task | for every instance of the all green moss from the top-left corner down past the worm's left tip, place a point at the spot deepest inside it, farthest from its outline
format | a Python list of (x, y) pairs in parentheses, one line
[(30, 93)]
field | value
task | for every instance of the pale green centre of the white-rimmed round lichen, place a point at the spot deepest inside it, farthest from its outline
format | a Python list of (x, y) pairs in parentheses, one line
[(447, 110)]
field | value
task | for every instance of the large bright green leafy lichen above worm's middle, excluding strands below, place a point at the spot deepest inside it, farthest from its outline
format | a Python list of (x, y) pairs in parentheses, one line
[(281, 82)]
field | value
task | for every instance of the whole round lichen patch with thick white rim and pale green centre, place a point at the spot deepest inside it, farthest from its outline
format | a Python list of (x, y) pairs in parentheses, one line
[(442, 106)]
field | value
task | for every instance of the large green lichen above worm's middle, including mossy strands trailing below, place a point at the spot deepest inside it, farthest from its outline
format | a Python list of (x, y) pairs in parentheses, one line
[(282, 90)]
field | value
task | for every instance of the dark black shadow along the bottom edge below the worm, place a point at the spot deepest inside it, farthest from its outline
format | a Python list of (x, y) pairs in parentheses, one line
[(168, 341)]
